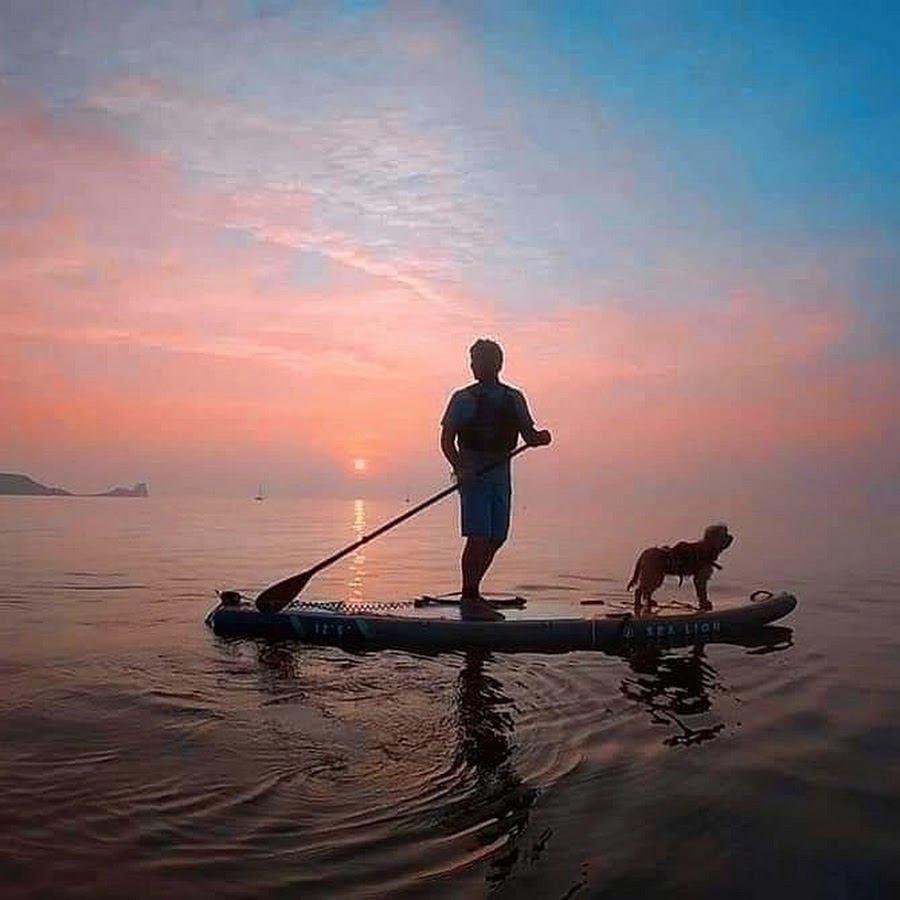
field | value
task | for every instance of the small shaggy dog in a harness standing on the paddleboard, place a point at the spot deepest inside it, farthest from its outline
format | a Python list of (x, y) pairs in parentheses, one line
[(694, 558)]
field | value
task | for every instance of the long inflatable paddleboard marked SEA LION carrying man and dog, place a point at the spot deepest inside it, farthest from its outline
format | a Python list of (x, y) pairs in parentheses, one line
[(434, 623)]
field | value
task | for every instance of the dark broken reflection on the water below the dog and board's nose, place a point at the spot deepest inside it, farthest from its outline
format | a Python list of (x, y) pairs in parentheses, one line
[(674, 685)]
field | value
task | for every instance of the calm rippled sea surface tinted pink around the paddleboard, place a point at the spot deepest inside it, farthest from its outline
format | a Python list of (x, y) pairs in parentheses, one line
[(142, 756)]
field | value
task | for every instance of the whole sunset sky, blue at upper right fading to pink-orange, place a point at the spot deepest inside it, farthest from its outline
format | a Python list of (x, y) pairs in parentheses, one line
[(249, 243)]
